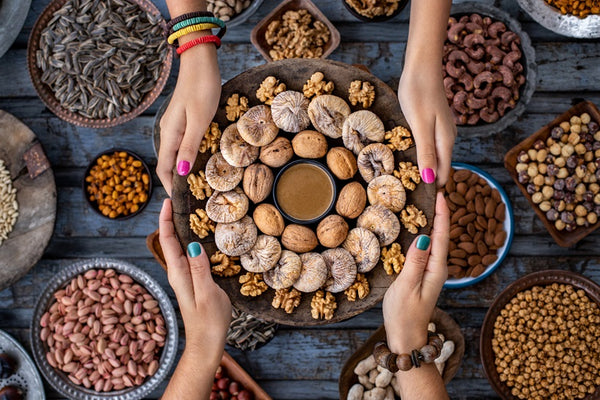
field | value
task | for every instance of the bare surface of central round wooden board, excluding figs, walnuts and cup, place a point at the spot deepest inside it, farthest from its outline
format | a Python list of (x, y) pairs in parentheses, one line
[(294, 73)]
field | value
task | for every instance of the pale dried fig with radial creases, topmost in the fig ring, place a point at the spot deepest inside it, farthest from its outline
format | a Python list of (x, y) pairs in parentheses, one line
[(290, 111)]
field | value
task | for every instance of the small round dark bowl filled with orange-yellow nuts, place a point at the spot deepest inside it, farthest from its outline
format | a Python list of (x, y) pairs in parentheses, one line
[(117, 184)]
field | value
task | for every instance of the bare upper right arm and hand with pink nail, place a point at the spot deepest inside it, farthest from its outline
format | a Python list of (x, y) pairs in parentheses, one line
[(421, 90)]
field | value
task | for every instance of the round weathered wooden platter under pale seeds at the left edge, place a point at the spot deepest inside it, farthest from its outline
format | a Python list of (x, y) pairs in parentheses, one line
[(36, 197)]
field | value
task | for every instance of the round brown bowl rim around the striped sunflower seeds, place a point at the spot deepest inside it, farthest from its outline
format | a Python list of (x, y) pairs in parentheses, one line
[(47, 96)]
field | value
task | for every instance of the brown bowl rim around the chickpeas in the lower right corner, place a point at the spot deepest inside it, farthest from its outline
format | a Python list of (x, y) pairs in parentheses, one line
[(541, 278)]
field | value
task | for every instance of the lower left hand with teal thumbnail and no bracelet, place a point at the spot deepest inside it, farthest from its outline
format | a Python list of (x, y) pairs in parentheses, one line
[(204, 306)]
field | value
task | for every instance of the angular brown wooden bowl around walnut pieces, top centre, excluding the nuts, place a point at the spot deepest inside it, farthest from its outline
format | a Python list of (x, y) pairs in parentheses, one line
[(257, 37)]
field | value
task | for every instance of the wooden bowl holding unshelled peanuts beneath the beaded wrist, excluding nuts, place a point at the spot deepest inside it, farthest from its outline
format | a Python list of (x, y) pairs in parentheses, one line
[(444, 324)]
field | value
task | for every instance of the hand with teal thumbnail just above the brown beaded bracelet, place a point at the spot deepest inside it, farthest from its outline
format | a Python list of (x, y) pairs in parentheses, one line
[(409, 302)]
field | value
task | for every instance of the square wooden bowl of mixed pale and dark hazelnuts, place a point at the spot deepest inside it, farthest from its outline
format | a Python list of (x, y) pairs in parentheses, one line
[(557, 170)]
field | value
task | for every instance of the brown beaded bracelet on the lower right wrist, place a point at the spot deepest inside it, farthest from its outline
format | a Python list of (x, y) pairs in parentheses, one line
[(403, 362)]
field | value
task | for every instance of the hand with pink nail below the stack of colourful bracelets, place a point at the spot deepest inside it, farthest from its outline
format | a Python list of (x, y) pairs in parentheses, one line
[(190, 112)]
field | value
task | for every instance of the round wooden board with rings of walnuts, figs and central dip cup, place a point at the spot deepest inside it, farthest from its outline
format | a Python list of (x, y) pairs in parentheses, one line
[(305, 192)]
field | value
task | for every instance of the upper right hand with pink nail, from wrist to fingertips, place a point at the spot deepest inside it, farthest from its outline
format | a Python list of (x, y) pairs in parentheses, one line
[(426, 110)]
